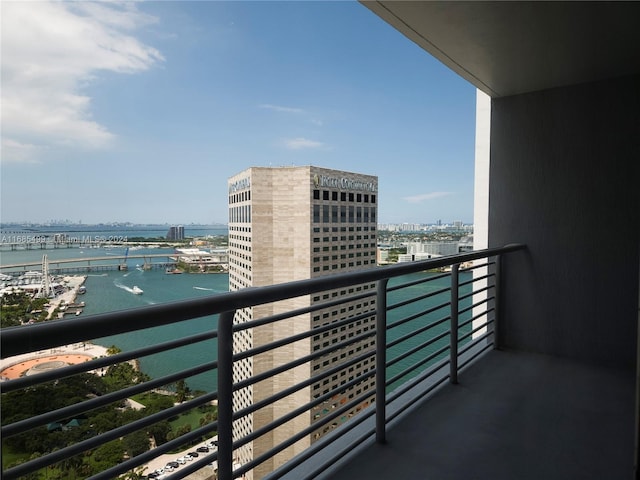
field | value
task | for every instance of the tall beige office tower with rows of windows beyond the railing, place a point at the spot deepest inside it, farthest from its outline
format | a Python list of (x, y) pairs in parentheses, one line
[(294, 223)]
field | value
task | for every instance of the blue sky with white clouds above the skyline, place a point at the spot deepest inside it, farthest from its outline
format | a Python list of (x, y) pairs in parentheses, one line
[(140, 111)]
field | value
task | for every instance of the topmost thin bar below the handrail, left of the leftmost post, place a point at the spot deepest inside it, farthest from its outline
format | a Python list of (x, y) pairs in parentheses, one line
[(30, 380)]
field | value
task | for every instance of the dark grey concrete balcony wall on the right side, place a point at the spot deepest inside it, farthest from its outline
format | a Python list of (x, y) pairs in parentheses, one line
[(565, 180)]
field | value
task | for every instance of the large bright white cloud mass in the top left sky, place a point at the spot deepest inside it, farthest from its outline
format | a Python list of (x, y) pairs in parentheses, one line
[(50, 50)]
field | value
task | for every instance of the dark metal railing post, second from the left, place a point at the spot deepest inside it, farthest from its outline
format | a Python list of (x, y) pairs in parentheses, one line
[(381, 361)]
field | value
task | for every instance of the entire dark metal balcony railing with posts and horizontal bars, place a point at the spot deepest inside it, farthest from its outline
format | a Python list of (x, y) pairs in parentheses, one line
[(422, 325)]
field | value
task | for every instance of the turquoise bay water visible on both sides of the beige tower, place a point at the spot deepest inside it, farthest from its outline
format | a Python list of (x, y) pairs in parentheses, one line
[(112, 290)]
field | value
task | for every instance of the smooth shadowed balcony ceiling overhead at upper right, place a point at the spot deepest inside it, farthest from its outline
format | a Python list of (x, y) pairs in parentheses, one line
[(508, 48)]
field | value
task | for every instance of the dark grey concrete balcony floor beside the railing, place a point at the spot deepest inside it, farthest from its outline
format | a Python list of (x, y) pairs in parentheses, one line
[(512, 416)]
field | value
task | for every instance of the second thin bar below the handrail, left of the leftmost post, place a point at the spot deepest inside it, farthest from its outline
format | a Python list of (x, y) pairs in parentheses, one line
[(100, 401)]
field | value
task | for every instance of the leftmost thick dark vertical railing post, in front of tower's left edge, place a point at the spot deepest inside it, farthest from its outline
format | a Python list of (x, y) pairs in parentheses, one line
[(225, 396)]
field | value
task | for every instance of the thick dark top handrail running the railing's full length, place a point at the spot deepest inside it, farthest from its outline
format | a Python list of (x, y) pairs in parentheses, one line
[(40, 336)]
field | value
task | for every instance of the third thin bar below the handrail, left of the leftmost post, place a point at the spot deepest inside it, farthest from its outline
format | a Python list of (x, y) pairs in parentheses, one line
[(98, 440)]
